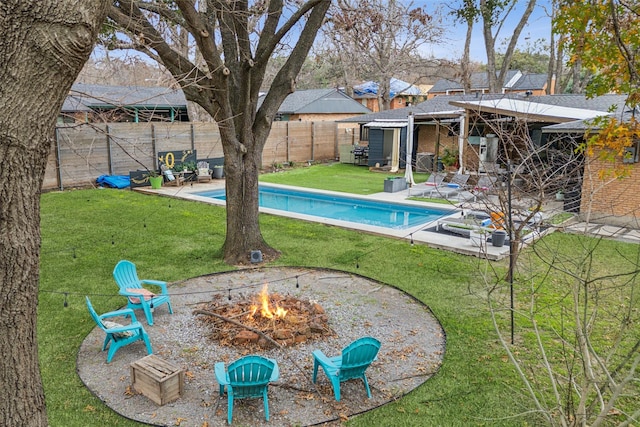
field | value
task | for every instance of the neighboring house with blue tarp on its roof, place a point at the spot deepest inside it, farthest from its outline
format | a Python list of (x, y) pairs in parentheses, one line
[(402, 94)]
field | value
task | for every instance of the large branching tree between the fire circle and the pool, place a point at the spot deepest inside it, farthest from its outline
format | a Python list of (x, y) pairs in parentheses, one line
[(227, 85)]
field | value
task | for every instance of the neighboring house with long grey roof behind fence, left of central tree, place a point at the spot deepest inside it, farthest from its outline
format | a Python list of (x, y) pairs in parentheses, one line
[(90, 103)]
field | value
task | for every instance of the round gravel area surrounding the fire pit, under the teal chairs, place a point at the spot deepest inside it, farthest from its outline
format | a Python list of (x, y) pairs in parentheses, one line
[(413, 345)]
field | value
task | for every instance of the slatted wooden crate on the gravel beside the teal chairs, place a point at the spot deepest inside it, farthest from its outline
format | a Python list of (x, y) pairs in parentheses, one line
[(157, 379)]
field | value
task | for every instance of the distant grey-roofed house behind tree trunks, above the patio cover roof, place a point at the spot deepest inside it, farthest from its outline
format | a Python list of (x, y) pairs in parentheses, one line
[(515, 82)]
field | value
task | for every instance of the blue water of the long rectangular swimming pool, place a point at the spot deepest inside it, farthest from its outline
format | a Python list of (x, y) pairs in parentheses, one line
[(381, 214)]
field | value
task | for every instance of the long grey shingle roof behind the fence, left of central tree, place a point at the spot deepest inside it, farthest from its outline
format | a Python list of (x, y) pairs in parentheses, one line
[(125, 96)]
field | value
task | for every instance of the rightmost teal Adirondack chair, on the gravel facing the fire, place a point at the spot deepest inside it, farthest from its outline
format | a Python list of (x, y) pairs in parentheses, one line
[(352, 363)]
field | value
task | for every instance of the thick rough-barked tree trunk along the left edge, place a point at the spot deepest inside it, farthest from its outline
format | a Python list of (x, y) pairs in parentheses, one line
[(43, 47)]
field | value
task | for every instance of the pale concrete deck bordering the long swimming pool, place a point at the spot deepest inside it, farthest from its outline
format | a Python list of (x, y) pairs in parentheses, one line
[(419, 233)]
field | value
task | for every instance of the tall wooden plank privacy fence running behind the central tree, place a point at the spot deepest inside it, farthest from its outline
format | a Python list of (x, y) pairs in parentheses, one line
[(81, 153)]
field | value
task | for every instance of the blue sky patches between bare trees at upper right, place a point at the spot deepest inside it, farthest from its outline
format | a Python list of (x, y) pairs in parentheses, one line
[(539, 26)]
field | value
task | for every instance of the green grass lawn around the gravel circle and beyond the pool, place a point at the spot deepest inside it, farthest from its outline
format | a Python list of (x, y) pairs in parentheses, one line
[(85, 233)]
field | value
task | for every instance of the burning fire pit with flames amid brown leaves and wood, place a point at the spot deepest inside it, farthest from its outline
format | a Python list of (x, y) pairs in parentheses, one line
[(264, 320)]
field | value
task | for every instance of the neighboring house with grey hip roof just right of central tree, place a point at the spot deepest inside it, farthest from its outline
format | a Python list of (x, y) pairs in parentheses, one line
[(318, 105)]
